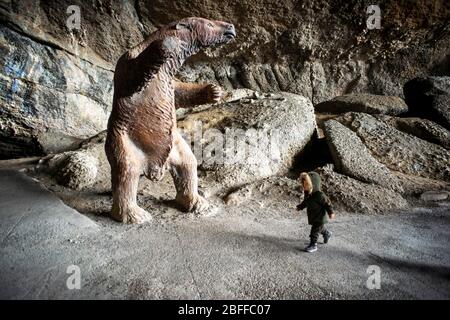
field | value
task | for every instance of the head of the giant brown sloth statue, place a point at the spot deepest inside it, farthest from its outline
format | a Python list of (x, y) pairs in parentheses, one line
[(203, 32)]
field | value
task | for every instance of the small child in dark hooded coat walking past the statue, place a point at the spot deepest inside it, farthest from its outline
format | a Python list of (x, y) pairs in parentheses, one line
[(318, 206)]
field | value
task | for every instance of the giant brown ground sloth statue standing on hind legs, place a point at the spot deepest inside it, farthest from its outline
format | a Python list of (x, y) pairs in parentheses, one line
[(142, 136)]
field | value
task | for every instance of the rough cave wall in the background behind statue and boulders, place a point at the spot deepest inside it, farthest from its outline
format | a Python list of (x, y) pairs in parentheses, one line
[(57, 83)]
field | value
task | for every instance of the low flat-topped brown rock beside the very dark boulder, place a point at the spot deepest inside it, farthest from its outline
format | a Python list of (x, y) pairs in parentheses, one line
[(367, 103)]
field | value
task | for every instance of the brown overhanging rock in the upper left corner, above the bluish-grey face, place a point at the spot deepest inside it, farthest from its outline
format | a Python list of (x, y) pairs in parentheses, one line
[(106, 28)]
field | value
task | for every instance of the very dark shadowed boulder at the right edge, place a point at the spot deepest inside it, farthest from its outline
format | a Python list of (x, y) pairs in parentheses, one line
[(429, 97)]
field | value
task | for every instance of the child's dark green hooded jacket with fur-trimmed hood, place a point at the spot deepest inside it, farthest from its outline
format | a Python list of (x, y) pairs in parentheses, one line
[(316, 203)]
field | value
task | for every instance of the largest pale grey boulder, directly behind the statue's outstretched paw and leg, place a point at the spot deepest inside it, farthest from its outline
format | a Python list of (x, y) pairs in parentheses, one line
[(250, 138)]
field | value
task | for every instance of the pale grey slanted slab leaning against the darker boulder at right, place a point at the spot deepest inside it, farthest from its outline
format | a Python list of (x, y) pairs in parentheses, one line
[(352, 158)]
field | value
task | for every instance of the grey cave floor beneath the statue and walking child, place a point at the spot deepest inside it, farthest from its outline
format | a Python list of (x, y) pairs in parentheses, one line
[(251, 247)]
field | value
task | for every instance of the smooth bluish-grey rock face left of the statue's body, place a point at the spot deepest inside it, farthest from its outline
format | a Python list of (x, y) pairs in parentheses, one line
[(49, 99)]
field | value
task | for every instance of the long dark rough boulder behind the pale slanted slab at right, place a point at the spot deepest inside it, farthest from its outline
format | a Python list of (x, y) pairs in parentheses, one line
[(400, 151)]
